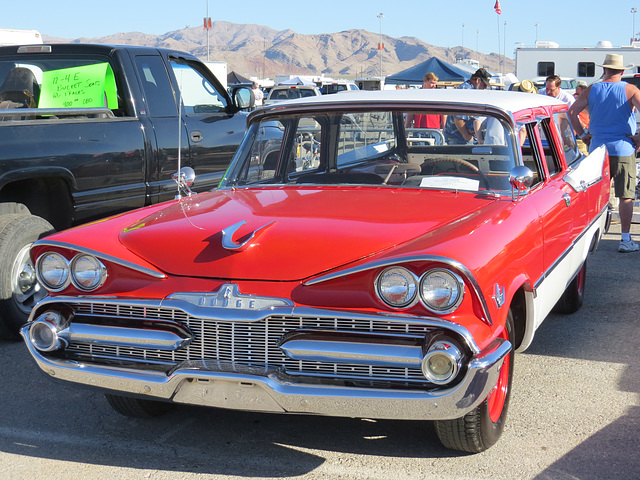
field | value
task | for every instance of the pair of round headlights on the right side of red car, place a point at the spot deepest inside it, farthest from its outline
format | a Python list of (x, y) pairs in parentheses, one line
[(439, 289)]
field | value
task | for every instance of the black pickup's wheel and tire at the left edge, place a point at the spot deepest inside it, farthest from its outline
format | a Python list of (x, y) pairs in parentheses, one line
[(19, 289)]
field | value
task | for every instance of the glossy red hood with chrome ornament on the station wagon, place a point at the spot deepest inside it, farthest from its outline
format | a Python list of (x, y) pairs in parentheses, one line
[(286, 234)]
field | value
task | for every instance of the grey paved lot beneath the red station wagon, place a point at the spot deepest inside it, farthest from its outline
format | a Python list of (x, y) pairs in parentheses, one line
[(575, 414)]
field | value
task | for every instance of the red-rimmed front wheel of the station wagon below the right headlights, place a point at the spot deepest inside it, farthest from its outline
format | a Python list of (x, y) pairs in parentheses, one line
[(483, 426)]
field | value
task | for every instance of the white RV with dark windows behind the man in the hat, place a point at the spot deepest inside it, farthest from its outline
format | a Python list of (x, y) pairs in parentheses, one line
[(548, 58)]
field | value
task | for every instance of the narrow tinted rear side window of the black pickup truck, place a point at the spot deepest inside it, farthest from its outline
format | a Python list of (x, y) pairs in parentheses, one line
[(156, 86)]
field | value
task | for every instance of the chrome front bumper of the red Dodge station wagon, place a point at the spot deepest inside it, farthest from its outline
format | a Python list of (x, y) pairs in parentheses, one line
[(206, 383)]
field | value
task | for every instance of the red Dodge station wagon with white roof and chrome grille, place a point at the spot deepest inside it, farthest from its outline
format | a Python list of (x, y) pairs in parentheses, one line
[(341, 268)]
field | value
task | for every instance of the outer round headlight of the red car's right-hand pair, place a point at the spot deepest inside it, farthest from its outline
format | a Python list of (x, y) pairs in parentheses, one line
[(441, 290)]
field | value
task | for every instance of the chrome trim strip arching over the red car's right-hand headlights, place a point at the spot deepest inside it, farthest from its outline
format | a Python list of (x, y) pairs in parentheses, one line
[(413, 258)]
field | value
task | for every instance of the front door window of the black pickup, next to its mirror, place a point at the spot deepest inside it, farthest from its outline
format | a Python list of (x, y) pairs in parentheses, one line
[(198, 95)]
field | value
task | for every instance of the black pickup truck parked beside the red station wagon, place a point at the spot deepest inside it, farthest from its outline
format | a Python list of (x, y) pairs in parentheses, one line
[(88, 131)]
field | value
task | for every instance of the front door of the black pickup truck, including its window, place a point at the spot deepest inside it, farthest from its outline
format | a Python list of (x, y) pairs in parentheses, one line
[(215, 128)]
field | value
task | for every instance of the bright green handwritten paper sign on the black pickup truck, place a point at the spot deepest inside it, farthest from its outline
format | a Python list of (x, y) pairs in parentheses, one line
[(89, 86)]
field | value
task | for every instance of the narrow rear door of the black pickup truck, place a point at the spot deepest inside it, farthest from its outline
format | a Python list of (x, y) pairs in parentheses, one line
[(162, 113)]
